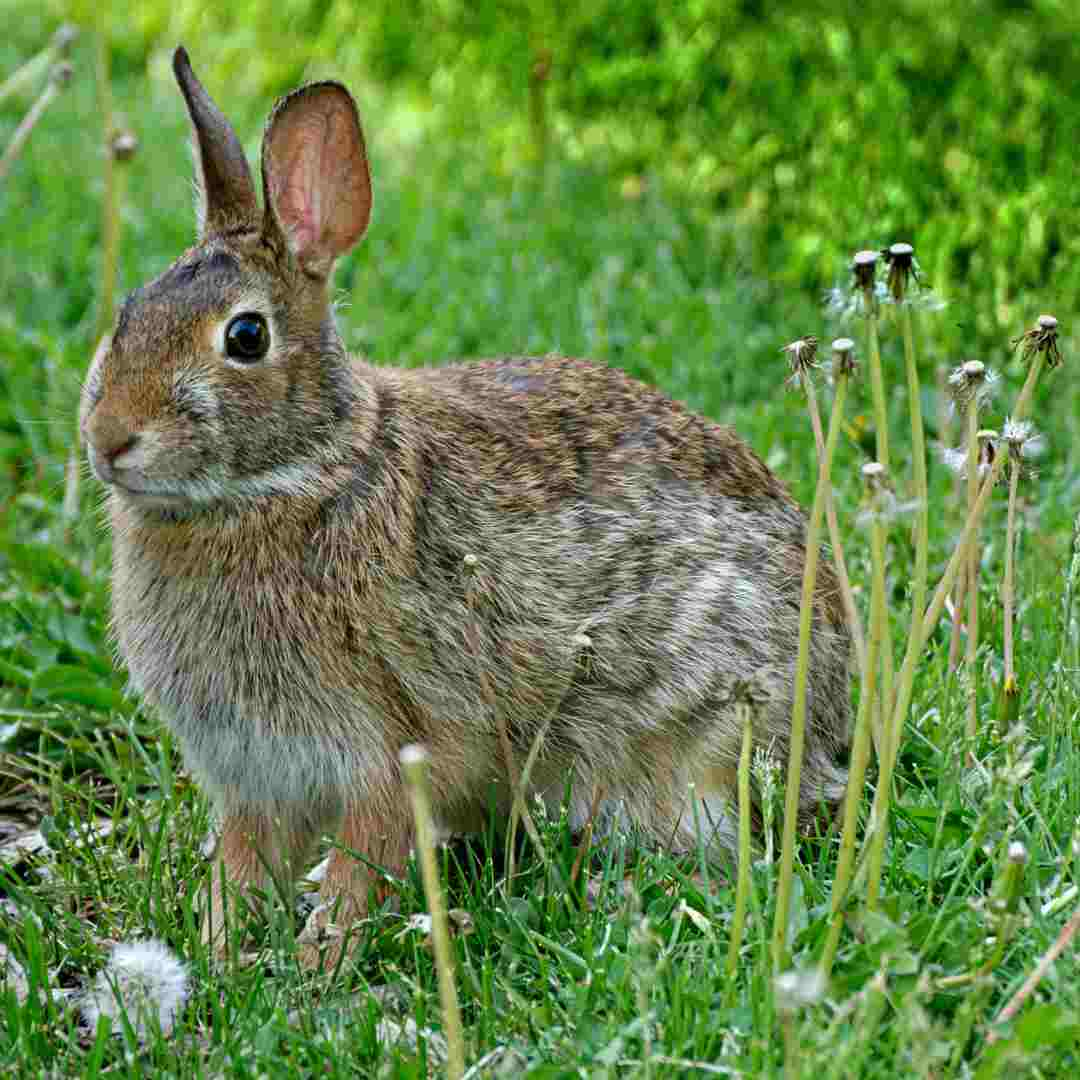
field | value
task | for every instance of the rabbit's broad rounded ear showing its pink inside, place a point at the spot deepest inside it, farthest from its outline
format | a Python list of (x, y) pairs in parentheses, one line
[(317, 187)]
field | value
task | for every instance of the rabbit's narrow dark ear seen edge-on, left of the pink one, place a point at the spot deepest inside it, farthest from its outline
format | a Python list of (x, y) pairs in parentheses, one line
[(227, 198)]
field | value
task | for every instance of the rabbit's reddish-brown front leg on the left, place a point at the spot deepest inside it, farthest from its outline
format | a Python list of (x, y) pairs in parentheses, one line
[(253, 847)]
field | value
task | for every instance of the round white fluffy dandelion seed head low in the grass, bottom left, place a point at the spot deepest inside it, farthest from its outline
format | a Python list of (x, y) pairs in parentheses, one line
[(144, 982)]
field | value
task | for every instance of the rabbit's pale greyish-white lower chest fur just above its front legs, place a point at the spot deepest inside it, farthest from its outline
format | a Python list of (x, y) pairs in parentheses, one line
[(265, 710)]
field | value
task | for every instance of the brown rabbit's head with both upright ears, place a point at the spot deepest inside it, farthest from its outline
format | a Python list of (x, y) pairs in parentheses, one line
[(225, 377)]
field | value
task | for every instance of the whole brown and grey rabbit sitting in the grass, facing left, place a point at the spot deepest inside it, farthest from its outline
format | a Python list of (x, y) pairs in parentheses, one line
[(318, 562)]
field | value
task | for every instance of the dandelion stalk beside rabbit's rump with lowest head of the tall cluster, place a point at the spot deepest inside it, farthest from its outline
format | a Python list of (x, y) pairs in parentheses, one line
[(874, 475)]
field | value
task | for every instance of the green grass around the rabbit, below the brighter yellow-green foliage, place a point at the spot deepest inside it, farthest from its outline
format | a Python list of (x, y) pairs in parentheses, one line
[(626, 975)]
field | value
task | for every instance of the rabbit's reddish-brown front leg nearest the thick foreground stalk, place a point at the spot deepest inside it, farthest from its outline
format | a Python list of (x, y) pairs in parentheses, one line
[(380, 830)]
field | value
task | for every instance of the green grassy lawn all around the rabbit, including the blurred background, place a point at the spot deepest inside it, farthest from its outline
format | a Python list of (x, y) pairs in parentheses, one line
[(686, 235)]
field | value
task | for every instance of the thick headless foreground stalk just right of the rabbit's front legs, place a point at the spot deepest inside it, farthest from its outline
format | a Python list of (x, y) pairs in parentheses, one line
[(414, 762)]
